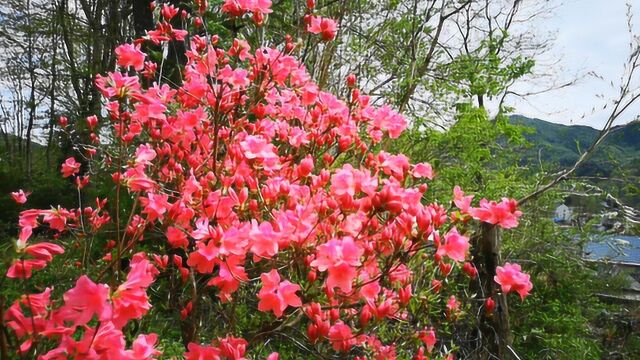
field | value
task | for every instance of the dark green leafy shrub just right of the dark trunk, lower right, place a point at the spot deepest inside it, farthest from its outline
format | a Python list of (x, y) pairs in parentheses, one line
[(554, 323)]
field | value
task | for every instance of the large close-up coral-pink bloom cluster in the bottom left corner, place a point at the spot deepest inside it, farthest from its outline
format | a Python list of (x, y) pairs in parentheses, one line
[(68, 324)]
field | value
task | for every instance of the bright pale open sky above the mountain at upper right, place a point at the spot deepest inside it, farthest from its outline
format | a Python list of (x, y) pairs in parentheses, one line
[(591, 36)]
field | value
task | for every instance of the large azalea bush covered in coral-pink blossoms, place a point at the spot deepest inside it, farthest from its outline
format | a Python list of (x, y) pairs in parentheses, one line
[(257, 211)]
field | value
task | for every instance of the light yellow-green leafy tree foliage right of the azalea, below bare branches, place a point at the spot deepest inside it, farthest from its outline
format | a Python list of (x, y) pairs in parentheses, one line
[(473, 153)]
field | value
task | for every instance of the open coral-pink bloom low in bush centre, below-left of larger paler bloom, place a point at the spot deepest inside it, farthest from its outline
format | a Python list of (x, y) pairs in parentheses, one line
[(275, 295)]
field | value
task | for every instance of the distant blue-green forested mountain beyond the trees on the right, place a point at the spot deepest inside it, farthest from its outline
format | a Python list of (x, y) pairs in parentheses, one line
[(617, 158)]
